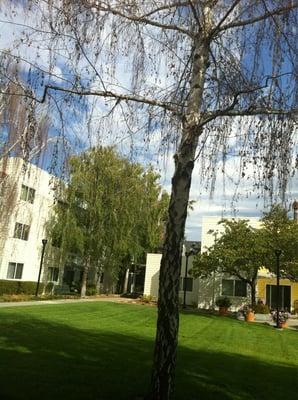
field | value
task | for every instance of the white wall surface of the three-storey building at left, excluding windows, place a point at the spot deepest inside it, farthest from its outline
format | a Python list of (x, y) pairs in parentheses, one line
[(27, 252)]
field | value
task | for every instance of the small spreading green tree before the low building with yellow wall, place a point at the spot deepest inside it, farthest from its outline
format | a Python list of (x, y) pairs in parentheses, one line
[(242, 250)]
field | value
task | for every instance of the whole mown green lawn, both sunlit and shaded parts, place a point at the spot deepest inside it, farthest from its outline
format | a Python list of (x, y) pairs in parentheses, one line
[(103, 351)]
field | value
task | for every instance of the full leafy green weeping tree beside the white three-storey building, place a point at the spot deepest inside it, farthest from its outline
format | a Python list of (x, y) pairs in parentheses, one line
[(109, 210)]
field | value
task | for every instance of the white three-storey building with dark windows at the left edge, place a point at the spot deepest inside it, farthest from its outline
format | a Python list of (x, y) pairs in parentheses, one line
[(26, 201)]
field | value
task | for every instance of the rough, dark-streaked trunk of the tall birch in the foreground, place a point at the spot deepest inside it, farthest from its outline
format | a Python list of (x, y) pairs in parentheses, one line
[(163, 374)]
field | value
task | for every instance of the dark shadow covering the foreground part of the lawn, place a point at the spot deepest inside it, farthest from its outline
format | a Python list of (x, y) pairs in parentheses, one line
[(42, 360)]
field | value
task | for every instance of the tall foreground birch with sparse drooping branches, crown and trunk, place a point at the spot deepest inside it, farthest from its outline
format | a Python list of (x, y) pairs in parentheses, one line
[(208, 76)]
